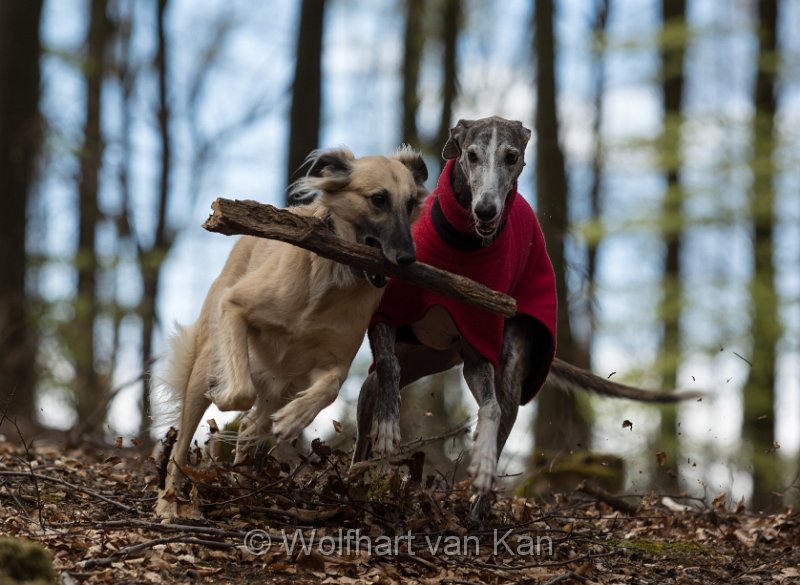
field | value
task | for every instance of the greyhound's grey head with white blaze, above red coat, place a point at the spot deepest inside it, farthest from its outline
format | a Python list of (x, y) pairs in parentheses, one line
[(490, 154)]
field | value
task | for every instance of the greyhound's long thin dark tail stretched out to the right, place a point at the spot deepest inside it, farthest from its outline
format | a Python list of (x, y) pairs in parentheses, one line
[(568, 377)]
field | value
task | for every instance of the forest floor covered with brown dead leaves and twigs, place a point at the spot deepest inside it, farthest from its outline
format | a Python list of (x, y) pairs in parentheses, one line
[(317, 521)]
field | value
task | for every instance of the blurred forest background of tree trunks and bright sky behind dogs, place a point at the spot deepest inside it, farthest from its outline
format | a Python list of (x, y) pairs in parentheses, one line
[(664, 168)]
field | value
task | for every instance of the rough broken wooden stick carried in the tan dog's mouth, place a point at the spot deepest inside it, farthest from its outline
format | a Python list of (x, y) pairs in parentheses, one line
[(265, 221)]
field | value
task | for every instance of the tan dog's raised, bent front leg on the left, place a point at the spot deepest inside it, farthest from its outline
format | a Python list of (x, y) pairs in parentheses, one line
[(236, 390)]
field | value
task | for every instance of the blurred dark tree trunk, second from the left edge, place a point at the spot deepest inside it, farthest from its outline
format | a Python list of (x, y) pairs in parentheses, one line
[(88, 387)]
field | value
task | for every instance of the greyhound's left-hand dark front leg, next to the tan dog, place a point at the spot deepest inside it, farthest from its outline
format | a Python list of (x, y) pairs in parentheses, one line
[(385, 428)]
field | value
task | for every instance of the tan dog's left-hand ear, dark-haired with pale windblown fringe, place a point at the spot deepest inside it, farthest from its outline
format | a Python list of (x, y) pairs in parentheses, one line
[(328, 171)]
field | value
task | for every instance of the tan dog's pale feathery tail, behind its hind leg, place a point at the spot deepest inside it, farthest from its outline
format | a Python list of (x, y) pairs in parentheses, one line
[(166, 396)]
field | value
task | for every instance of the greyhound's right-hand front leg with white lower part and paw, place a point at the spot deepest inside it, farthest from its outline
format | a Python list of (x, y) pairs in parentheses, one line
[(479, 375)]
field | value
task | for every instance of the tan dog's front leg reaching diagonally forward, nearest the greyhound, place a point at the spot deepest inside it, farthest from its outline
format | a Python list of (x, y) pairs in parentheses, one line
[(290, 420)]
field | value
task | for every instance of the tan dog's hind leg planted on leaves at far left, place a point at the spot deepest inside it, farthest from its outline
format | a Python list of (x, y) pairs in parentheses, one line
[(193, 406)]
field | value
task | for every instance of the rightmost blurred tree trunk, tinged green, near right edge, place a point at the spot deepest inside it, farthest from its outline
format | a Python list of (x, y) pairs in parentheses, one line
[(759, 390)]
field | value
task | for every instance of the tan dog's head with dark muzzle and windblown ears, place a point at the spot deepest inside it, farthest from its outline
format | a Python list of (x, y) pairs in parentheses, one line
[(378, 197)]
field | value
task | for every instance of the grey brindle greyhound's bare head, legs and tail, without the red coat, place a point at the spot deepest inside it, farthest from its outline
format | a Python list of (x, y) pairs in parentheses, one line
[(489, 157)]
